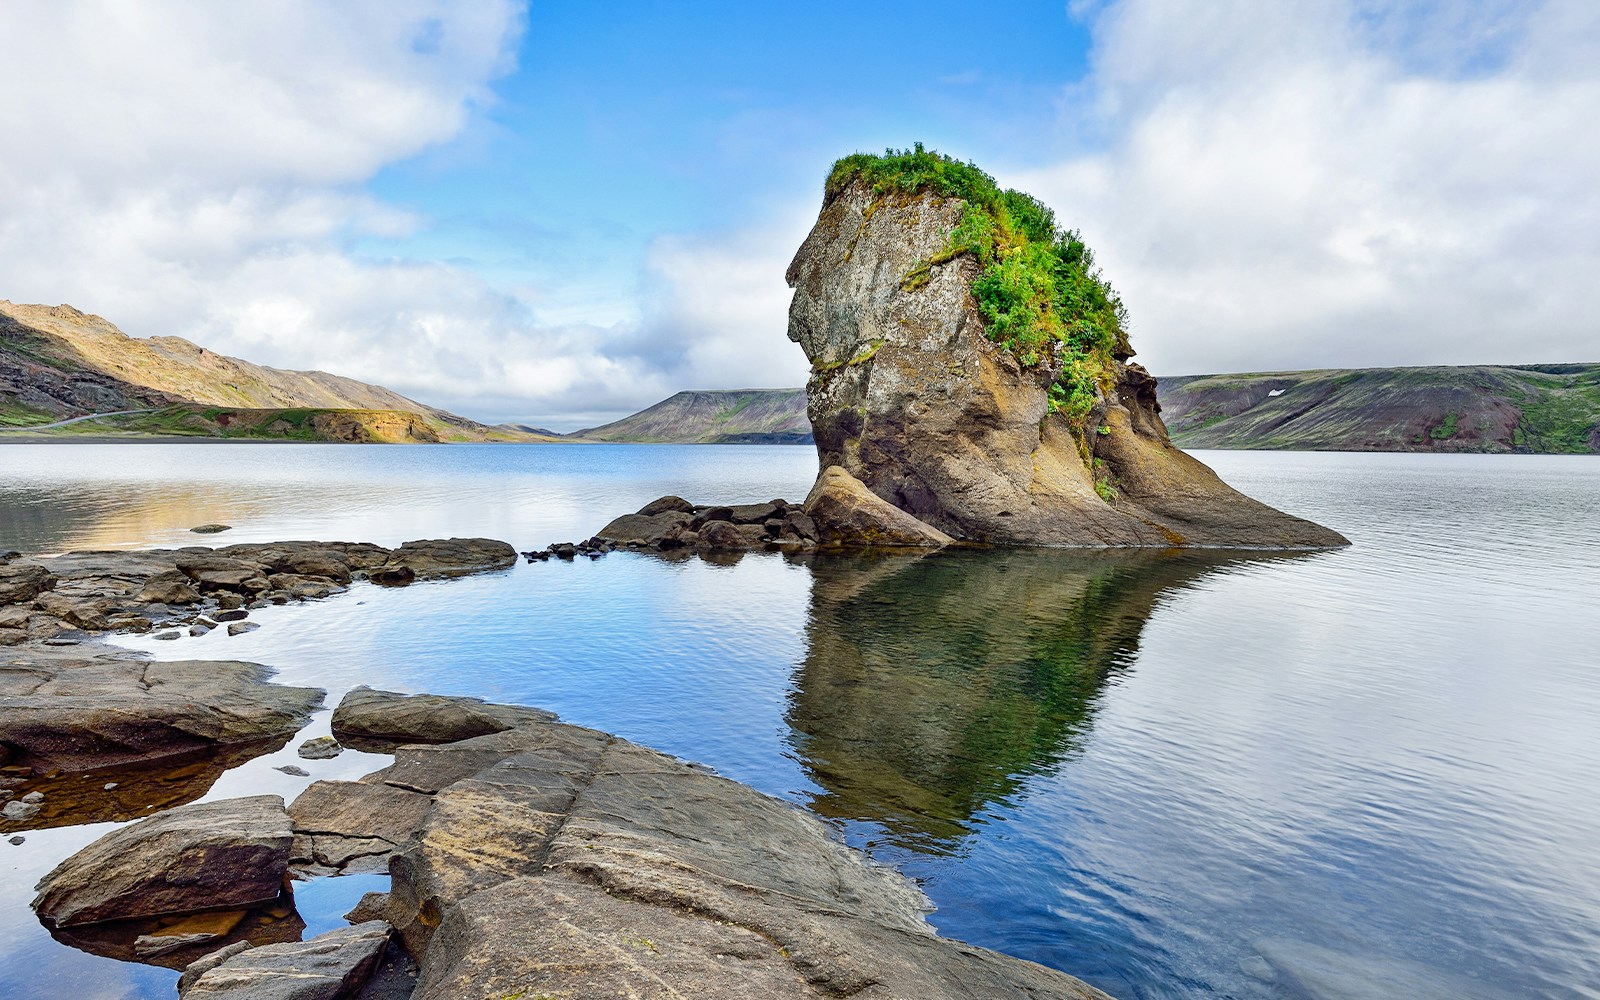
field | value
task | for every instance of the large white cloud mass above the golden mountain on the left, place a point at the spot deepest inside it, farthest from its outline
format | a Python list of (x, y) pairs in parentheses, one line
[(196, 170)]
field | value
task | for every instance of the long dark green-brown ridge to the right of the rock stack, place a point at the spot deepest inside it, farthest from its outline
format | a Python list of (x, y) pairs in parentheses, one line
[(1489, 409)]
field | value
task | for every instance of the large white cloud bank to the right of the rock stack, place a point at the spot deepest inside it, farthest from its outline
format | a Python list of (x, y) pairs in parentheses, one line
[(1342, 185)]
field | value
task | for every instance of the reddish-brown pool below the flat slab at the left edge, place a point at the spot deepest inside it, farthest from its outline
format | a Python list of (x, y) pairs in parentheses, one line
[(137, 791)]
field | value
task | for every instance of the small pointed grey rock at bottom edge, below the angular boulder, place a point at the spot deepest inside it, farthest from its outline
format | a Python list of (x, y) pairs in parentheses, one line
[(329, 967)]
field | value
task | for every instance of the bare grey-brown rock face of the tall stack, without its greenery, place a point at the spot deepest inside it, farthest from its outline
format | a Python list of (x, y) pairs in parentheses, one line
[(911, 396)]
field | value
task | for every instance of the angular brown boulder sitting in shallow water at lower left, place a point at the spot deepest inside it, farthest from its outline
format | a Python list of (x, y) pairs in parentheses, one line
[(202, 857)]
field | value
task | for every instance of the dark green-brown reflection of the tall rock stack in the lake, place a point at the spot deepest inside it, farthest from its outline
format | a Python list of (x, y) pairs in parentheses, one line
[(934, 687)]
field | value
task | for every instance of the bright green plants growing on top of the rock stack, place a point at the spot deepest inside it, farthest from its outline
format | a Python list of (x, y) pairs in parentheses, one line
[(1039, 290)]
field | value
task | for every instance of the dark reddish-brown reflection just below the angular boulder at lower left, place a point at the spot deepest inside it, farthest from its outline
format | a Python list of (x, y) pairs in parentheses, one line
[(177, 942)]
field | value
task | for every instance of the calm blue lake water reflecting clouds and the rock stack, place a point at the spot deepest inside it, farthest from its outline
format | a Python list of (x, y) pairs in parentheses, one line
[(1358, 774)]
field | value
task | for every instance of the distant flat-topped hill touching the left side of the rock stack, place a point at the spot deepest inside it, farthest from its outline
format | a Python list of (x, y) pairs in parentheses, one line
[(726, 417)]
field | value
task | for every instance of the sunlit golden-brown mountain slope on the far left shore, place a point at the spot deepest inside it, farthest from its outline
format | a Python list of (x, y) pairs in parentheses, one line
[(58, 362)]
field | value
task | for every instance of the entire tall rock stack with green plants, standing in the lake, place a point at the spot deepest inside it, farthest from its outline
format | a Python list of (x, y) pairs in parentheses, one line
[(970, 367)]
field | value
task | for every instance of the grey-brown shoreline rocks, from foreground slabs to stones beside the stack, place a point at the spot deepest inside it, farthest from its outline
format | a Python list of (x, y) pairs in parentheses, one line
[(526, 857)]
